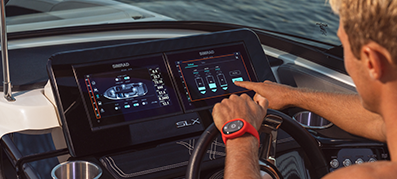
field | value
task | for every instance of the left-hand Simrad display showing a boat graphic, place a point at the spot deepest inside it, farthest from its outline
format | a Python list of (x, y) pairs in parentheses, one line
[(127, 91)]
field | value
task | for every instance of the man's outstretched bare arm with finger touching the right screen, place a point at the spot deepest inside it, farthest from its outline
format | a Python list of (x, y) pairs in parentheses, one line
[(344, 110)]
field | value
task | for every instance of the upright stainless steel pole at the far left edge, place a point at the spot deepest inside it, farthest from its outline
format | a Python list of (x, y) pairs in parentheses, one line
[(4, 54)]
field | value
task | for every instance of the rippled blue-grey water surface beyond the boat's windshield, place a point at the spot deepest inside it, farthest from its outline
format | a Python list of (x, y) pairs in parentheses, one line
[(312, 19)]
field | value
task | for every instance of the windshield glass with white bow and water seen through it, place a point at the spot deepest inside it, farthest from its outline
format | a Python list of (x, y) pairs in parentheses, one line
[(312, 19)]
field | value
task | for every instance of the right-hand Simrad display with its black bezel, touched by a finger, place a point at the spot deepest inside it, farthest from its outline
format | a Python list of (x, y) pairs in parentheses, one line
[(206, 76)]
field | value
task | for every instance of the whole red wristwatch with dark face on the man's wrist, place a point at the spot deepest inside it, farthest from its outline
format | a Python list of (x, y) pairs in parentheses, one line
[(236, 128)]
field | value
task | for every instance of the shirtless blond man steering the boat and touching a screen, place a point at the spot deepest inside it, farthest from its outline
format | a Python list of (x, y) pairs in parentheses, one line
[(367, 31)]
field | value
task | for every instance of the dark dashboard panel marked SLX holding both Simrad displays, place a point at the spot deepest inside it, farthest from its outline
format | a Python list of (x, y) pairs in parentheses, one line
[(120, 96)]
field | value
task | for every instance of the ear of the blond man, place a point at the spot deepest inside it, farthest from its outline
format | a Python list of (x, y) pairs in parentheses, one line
[(375, 59)]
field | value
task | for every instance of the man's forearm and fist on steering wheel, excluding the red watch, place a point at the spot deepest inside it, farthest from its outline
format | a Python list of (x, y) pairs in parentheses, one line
[(242, 152)]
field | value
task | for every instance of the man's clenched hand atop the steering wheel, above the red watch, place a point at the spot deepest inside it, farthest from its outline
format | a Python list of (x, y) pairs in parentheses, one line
[(251, 110)]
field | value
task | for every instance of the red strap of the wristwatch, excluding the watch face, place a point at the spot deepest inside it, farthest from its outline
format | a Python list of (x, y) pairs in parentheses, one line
[(247, 128)]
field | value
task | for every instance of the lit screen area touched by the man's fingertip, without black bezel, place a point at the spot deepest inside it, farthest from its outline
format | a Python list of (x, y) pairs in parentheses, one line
[(205, 77)]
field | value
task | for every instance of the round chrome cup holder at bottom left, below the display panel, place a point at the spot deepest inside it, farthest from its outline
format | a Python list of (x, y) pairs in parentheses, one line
[(76, 169)]
